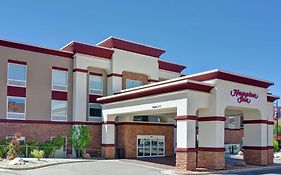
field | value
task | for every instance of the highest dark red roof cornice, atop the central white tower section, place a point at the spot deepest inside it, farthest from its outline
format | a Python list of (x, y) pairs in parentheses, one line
[(113, 42)]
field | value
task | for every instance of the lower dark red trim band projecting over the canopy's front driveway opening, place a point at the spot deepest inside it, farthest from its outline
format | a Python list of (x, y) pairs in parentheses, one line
[(170, 88)]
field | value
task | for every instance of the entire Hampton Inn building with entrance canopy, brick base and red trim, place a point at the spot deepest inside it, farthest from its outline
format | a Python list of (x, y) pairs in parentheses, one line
[(147, 111)]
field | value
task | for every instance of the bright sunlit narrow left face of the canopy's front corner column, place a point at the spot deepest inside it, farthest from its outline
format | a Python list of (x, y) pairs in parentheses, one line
[(186, 147)]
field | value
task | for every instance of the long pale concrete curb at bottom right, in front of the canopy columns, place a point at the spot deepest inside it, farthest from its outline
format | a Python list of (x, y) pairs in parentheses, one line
[(172, 172)]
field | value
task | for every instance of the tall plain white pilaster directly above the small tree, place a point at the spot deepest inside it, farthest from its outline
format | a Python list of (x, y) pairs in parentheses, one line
[(80, 94)]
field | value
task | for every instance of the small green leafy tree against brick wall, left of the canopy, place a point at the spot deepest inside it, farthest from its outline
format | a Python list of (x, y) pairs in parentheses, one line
[(80, 138)]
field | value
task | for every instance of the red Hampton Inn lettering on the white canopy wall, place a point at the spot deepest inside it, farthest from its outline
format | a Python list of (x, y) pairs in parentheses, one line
[(243, 97)]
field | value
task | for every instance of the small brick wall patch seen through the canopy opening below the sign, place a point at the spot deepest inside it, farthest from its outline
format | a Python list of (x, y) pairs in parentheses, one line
[(233, 136)]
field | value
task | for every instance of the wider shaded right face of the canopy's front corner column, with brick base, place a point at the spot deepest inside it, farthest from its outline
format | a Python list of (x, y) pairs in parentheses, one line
[(211, 142)]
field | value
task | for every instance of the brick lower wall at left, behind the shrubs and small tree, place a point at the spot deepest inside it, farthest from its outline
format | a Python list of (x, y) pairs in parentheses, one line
[(44, 131)]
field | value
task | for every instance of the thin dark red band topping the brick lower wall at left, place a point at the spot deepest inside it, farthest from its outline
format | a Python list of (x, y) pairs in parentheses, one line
[(48, 122)]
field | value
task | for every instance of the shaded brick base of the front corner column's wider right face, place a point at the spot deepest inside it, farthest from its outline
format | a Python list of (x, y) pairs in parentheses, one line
[(211, 160)]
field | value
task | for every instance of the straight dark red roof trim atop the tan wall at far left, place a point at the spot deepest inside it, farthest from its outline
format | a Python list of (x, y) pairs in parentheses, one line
[(32, 48)]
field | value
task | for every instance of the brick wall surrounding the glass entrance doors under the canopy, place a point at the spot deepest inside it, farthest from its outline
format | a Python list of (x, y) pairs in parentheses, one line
[(127, 136)]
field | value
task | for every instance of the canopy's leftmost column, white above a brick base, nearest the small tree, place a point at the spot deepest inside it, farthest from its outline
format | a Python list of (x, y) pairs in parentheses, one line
[(108, 140)]
